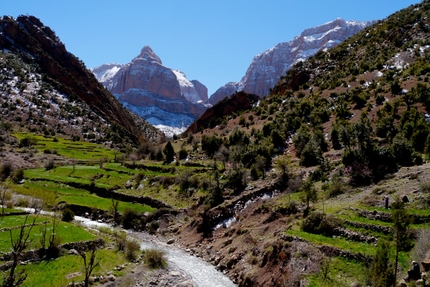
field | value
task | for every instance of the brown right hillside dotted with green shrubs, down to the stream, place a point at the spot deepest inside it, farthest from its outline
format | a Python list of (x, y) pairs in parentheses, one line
[(342, 129)]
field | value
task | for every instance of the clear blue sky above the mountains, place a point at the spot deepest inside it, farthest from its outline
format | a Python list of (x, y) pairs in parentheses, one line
[(213, 42)]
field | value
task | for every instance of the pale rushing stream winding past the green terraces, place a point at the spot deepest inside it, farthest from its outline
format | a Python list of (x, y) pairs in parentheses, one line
[(202, 274)]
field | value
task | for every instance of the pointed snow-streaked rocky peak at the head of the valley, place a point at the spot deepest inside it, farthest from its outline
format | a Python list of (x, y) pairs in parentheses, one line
[(160, 95)]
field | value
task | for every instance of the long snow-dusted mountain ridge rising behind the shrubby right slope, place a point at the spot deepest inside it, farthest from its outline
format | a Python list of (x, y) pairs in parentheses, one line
[(266, 68)]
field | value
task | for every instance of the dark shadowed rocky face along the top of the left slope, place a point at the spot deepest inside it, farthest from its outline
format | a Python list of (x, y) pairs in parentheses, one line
[(28, 36)]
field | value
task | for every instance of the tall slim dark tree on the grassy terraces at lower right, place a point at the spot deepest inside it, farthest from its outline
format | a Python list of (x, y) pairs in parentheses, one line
[(402, 236)]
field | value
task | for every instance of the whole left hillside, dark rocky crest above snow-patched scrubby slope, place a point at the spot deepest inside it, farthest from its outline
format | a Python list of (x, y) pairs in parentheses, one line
[(37, 67)]
